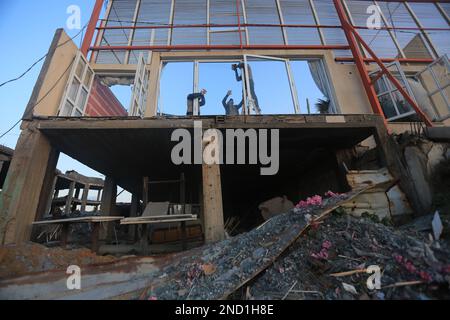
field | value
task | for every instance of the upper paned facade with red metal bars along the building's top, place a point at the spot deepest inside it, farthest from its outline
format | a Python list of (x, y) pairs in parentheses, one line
[(416, 30)]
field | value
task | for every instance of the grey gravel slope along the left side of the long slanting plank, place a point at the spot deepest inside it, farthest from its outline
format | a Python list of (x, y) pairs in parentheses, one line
[(216, 271)]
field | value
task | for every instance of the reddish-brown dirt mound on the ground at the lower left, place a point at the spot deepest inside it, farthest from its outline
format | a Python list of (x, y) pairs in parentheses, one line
[(16, 260)]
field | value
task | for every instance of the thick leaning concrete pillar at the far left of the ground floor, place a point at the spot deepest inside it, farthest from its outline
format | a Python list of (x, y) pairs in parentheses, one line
[(26, 186)]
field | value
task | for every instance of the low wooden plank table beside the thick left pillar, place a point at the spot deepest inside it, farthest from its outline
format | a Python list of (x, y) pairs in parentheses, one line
[(96, 221)]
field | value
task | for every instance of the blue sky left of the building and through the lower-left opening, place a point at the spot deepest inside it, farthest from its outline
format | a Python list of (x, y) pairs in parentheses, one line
[(27, 29)]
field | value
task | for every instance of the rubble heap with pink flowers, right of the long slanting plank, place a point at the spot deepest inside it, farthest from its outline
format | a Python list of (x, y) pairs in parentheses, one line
[(412, 266)]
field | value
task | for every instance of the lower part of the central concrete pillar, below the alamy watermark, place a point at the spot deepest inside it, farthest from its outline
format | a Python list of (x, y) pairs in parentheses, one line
[(212, 204)]
